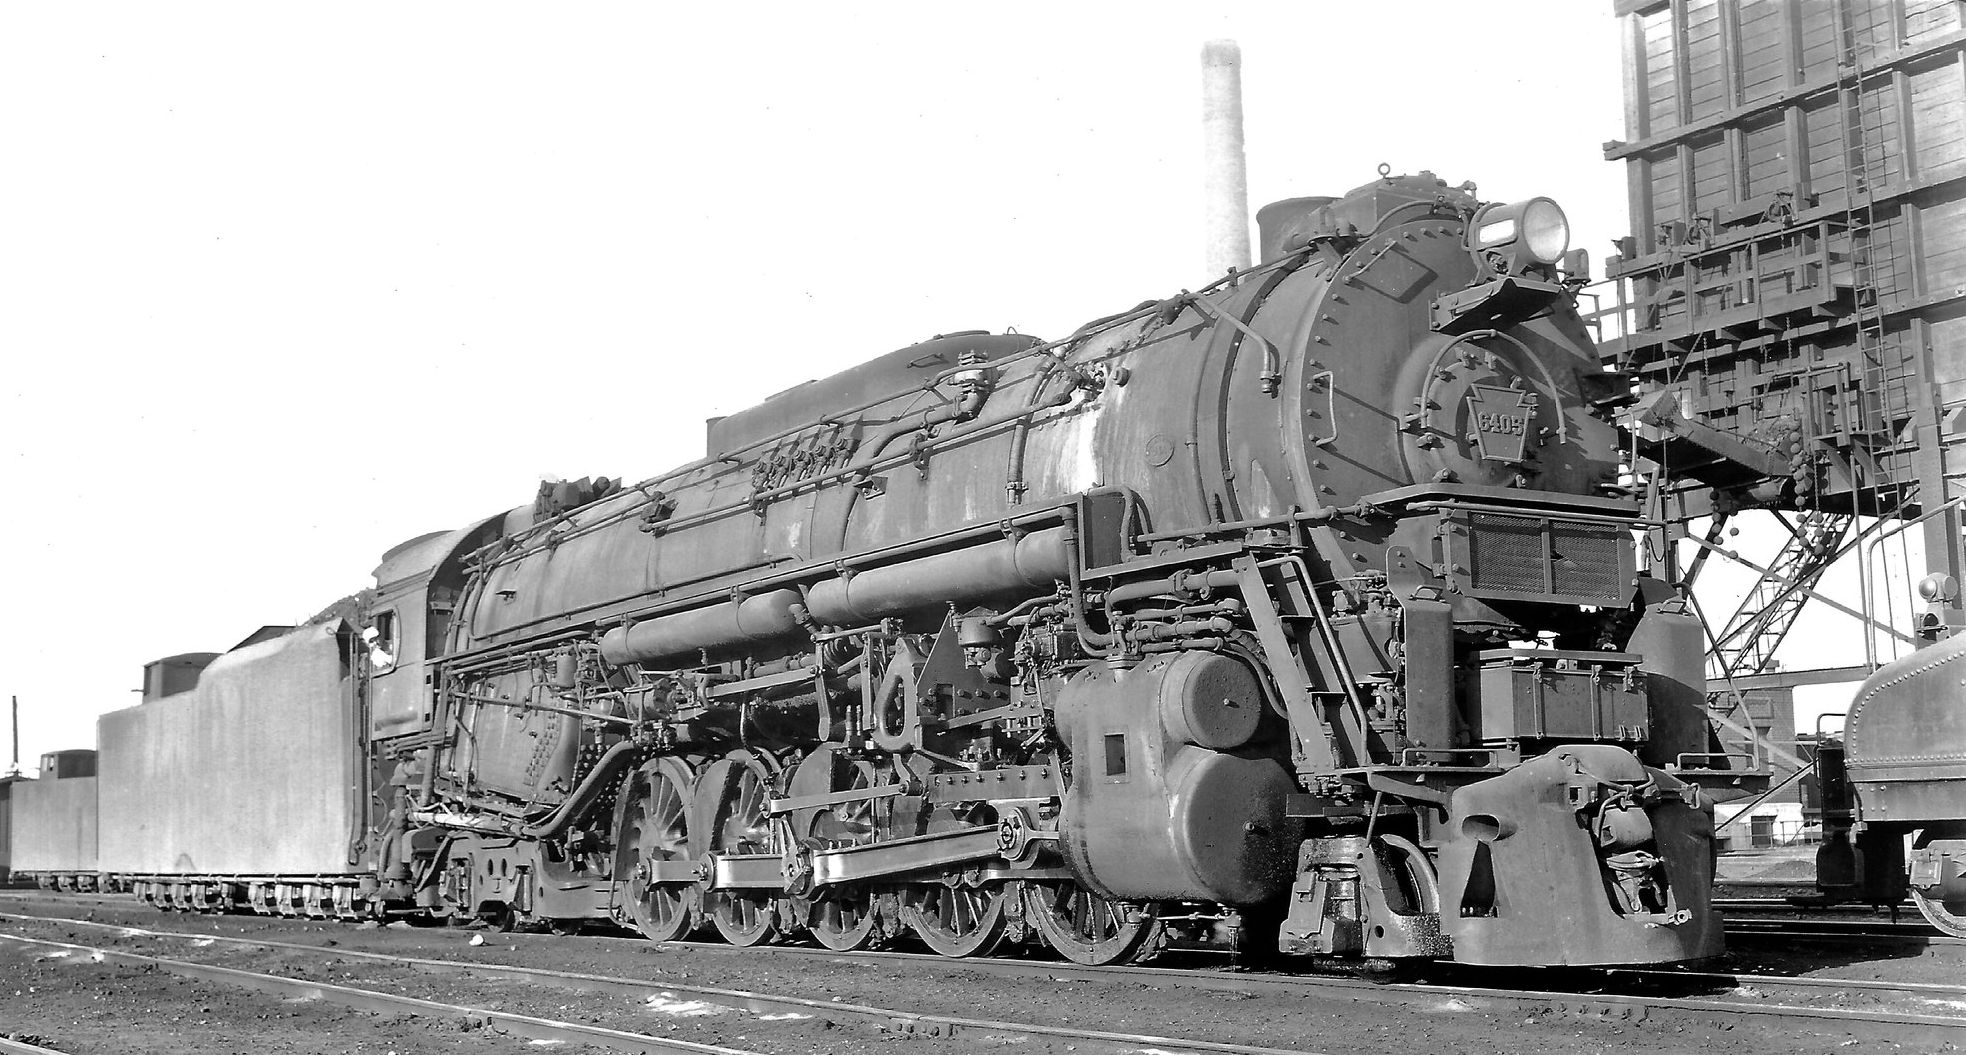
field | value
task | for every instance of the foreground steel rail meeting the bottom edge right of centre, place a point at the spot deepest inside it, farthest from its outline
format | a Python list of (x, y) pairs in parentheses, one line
[(888, 1019)]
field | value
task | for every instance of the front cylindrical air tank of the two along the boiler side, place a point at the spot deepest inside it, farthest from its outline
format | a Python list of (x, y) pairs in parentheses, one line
[(1013, 565)]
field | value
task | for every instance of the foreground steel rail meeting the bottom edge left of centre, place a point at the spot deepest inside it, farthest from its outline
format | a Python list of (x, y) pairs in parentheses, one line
[(371, 1001)]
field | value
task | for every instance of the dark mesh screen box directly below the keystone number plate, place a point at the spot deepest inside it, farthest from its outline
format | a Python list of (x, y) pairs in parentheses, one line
[(1544, 557)]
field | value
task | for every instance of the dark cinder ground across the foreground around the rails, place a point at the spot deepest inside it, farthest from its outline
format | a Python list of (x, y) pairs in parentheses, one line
[(103, 1009)]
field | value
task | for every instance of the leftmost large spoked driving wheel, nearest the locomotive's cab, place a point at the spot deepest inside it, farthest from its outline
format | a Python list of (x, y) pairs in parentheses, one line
[(656, 830)]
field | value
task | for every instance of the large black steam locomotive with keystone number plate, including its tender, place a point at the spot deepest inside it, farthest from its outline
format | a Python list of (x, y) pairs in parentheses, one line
[(1299, 614)]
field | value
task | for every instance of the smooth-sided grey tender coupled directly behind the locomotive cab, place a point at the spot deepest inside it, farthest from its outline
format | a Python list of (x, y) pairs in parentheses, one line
[(245, 783)]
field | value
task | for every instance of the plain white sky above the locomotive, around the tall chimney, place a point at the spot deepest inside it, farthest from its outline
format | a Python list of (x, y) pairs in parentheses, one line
[(286, 286)]
